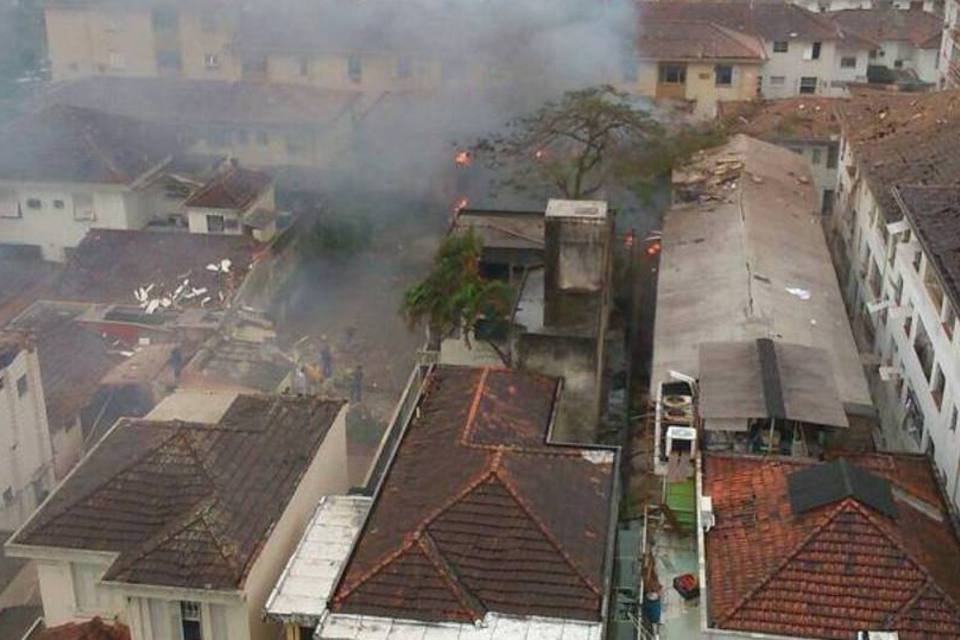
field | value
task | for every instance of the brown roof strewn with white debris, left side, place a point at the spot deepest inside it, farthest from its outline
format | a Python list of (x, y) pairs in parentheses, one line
[(109, 265)]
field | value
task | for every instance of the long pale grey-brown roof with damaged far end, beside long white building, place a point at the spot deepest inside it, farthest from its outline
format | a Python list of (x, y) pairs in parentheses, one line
[(744, 257)]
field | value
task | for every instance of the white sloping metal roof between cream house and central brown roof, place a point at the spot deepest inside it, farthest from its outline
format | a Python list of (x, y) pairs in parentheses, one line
[(302, 591)]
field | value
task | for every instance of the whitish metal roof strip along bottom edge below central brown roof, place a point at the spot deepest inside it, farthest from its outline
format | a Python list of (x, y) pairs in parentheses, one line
[(494, 627)]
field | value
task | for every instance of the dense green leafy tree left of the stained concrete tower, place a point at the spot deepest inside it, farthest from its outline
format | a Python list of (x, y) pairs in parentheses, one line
[(454, 295)]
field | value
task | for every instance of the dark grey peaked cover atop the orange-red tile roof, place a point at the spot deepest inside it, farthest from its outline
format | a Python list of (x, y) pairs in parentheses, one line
[(825, 484)]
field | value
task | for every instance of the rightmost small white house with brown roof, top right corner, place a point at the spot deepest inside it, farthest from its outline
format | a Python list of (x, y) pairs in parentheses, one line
[(907, 42)]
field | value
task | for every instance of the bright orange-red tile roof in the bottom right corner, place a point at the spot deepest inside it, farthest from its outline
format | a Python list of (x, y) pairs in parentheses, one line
[(832, 570)]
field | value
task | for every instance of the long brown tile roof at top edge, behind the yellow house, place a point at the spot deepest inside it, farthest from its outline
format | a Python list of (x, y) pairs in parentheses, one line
[(769, 21)]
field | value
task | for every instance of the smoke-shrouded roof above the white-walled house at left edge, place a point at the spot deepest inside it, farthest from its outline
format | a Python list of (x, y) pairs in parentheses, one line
[(70, 144)]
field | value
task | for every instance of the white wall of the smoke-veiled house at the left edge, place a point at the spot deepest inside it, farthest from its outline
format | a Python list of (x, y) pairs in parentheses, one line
[(54, 228)]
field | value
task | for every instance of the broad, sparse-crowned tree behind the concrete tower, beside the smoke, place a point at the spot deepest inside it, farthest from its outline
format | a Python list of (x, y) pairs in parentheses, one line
[(571, 144)]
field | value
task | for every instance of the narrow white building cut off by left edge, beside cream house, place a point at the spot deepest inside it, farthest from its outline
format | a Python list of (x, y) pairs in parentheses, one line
[(26, 453)]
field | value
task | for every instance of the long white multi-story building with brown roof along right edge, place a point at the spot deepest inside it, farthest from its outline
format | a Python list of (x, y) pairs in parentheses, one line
[(893, 248)]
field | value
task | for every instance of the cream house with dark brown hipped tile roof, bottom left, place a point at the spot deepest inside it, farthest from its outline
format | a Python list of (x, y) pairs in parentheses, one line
[(179, 524)]
